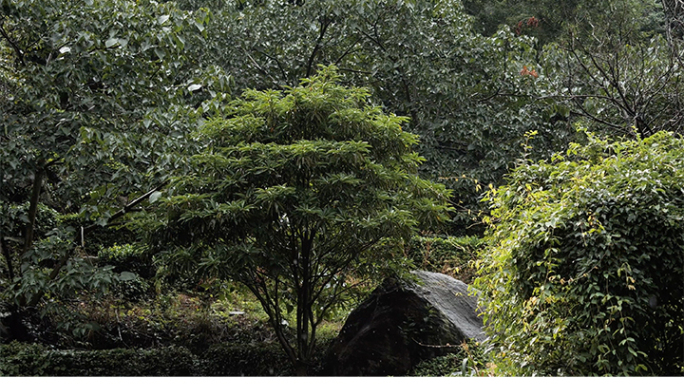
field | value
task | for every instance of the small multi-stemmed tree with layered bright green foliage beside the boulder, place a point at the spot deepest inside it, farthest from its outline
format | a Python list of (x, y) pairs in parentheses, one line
[(293, 193)]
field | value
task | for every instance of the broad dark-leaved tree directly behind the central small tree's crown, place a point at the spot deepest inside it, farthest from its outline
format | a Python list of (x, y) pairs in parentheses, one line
[(464, 92)]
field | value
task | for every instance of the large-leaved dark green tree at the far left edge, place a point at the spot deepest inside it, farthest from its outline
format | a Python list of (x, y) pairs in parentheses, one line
[(94, 93)]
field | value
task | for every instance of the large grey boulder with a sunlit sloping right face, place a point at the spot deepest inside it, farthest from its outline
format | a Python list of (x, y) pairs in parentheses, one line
[(403, 323)]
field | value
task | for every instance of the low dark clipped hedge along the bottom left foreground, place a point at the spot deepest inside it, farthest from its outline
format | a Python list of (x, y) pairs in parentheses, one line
[(18, 359)]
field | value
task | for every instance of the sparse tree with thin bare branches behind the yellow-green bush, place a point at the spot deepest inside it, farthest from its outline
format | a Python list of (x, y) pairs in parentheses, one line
[(615, 76)]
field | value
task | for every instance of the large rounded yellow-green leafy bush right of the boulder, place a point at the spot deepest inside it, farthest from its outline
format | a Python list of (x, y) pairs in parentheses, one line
[(585, 269)]
